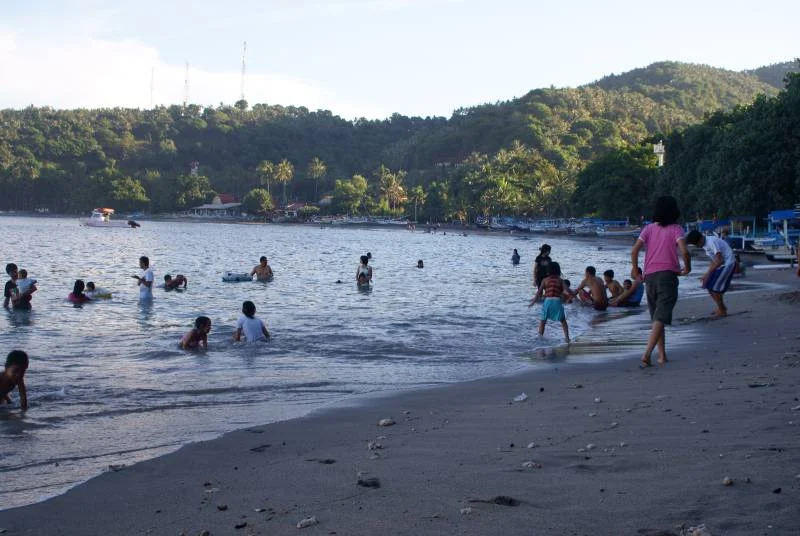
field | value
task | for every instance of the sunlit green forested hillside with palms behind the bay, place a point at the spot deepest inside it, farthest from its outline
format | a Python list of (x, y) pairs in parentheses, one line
[(520, 157)]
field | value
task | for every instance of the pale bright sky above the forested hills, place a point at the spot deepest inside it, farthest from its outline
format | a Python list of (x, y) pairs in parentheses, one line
[(363, 58)]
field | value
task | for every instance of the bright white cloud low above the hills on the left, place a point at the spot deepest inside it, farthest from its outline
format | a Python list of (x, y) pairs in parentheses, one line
[(87, 72)]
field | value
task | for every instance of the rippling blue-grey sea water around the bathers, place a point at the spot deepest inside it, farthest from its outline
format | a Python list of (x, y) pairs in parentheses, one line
[(108, 384)]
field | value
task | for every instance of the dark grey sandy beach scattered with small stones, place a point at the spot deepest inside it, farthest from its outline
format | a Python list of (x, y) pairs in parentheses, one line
[(596, 449)]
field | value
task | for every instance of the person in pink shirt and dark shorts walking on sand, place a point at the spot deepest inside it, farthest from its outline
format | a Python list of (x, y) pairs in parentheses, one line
[(663, 239)]
